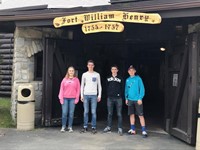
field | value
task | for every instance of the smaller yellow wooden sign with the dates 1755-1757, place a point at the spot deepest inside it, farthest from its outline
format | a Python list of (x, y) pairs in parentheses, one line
[(102, 27)]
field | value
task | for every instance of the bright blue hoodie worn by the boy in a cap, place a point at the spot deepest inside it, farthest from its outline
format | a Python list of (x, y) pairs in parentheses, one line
[(134, 88)]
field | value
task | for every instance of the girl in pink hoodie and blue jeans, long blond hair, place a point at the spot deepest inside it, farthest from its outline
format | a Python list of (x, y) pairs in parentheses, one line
[(69, 96)]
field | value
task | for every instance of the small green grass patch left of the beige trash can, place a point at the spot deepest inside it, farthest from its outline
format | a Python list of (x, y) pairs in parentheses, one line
[(5, 116)]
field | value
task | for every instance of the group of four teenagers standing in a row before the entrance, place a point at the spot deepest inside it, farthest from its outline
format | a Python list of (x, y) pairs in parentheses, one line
[(90, 91)]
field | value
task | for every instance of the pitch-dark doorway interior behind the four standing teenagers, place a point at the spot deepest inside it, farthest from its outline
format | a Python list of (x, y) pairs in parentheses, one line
[(147, 59)]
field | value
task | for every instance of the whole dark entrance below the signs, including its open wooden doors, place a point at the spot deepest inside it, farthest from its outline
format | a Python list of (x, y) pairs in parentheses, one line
[(164, 73)]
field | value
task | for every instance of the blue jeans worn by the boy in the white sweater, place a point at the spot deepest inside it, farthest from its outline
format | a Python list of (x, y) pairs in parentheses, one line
[(92, 99)]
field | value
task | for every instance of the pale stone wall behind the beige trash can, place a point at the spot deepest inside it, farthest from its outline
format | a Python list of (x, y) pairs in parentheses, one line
[(27, 42)]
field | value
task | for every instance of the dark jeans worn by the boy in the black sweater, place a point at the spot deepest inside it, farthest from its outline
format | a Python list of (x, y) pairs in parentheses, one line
[(110, 105)]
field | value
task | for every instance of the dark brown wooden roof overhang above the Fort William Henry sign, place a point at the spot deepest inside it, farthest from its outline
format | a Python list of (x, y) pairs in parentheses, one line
[(43, 16)]
